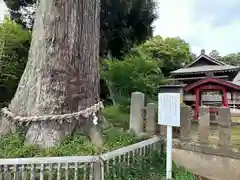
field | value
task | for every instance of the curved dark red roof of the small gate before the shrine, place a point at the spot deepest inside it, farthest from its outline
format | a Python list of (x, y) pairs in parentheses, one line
[(213, 81)]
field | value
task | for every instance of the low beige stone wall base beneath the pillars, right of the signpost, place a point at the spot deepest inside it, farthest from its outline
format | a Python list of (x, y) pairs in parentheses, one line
[(210, 166)]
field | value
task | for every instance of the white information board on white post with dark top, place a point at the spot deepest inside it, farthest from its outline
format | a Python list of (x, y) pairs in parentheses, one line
[(169, 100)]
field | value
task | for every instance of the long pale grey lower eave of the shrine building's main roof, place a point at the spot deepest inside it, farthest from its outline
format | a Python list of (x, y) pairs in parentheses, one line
[(205, 68)]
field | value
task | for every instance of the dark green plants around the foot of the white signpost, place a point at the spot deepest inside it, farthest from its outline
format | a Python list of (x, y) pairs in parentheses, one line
[(152, 167)]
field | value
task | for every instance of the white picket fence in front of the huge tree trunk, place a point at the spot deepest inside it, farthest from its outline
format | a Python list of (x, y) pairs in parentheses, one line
[(105, 166)]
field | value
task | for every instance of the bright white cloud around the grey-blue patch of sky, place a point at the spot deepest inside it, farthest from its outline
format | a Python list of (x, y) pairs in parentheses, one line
[(178, 18)]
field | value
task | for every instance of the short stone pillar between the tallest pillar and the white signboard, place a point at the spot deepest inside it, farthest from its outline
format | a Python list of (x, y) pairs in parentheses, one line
[(150, 119)]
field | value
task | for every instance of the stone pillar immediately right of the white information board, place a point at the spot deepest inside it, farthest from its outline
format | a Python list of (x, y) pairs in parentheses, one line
[(185, 122)]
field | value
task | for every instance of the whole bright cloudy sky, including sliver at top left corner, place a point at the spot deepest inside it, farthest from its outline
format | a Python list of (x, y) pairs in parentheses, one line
[(204, 24)]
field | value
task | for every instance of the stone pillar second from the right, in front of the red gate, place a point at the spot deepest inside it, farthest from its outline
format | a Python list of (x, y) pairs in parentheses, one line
[(203, 125)]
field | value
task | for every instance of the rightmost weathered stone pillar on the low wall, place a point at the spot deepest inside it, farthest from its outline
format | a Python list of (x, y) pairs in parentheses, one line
[(224, 127)]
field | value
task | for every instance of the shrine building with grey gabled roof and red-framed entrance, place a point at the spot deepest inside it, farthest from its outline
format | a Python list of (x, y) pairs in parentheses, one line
[(209, 82)]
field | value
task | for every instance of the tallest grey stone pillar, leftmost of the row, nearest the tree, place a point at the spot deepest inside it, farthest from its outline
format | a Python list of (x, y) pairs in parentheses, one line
[(136, 112)]
